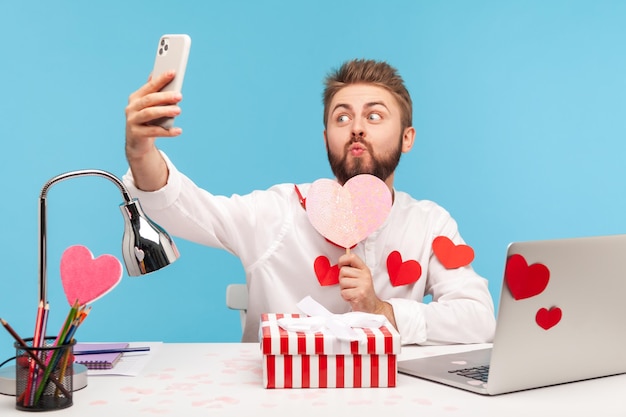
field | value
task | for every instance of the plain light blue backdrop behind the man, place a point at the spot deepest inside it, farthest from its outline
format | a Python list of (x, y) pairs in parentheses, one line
[(519, 110)]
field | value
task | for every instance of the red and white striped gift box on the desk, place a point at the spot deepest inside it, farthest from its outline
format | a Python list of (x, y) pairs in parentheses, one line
[(317, 360)]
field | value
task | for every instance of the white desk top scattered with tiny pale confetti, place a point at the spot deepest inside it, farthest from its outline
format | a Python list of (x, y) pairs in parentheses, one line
[(213, 379)]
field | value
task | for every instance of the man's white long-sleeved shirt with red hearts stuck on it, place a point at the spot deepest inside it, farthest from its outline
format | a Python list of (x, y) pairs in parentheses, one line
[(271, 234)]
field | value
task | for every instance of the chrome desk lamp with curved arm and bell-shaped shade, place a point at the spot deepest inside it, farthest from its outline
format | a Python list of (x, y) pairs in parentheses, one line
[(146, 248)]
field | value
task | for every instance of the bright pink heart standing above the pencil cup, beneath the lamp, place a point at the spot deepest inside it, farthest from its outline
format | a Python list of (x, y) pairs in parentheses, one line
[(86, 279)]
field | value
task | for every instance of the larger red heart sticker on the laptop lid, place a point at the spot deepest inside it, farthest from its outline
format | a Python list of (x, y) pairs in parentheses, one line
[(525, 281)]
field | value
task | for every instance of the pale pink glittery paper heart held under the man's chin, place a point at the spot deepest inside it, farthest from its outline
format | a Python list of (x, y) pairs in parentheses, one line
[(347, 215)]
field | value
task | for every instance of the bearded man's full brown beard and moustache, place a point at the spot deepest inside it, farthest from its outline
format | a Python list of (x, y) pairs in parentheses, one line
[(381, 167)]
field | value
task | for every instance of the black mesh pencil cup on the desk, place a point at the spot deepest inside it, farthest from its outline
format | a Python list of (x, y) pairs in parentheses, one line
[(44, 376)]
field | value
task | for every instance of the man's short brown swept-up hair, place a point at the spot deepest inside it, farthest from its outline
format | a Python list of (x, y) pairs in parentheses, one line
[(379, 73)]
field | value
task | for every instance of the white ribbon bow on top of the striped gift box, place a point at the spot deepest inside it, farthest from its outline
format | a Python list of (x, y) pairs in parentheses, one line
[(340, 325)]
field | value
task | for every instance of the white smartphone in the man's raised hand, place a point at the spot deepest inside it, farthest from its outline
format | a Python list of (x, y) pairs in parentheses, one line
[(172, 54)]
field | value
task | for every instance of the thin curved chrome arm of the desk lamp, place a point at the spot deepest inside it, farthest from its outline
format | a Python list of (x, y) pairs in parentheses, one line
[(43, 216)]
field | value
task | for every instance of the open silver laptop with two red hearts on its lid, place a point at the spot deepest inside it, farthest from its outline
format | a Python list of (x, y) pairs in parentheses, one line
[(562, 318)]
